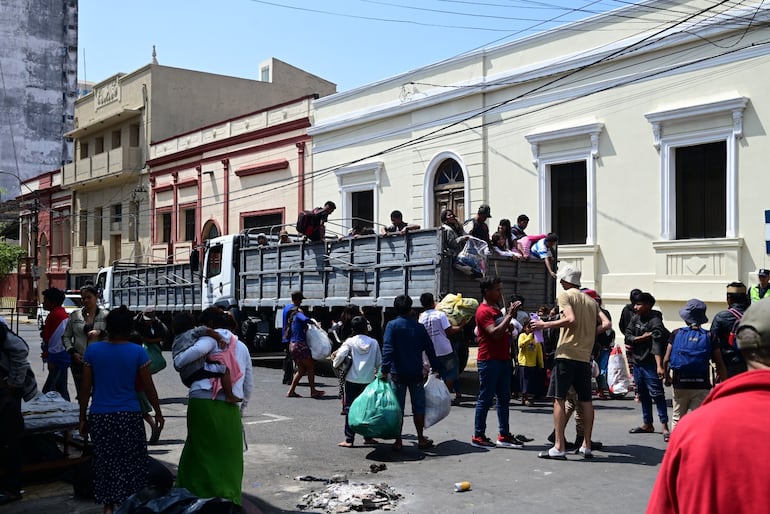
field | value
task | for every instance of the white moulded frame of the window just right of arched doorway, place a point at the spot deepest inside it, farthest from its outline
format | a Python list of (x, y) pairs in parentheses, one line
[(588, 153)]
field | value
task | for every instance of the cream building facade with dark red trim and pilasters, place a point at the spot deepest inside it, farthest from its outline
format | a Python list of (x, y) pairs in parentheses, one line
[(243, 173)]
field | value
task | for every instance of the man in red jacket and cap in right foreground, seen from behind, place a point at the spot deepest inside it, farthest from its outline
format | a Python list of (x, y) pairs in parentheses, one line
[(716, 459)]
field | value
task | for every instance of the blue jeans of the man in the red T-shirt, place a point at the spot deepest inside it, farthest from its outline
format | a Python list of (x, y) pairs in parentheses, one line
[(494, 380)]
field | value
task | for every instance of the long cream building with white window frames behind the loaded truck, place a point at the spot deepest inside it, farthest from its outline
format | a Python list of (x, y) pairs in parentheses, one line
[(637, 135)]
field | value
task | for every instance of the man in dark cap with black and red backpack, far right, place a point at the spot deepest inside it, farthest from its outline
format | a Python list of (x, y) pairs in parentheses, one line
[(724, 325)]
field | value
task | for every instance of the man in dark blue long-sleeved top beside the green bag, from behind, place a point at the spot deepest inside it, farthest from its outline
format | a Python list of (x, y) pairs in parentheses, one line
[(404, 341)]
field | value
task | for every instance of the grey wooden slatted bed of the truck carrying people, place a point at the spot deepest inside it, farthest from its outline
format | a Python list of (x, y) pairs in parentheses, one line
[(370, 271)]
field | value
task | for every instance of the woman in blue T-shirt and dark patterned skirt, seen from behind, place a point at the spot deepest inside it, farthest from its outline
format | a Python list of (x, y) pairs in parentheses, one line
[(111, 372)]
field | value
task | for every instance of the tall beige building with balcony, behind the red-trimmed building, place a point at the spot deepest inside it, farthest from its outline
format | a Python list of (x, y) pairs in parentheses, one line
[(115, 125)]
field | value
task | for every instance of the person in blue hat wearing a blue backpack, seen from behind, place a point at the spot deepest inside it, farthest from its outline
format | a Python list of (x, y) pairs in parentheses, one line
[(690, 349)]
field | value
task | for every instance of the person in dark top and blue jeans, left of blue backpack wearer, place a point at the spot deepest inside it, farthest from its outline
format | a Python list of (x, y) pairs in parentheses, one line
[(646, 338)]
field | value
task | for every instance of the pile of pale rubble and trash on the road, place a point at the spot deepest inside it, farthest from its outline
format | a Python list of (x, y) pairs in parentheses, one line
[(347, 497)]
